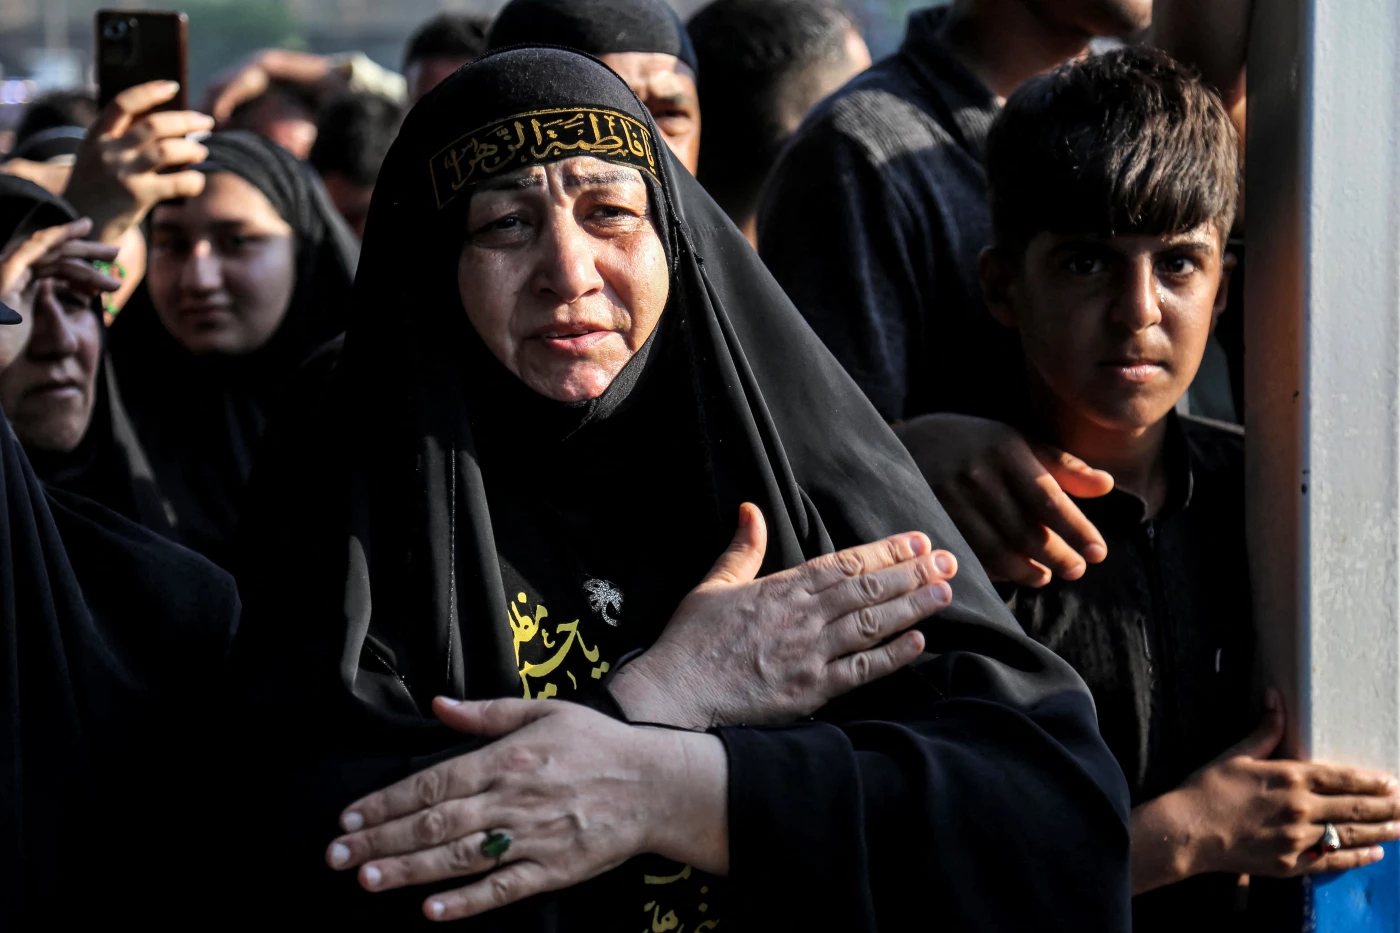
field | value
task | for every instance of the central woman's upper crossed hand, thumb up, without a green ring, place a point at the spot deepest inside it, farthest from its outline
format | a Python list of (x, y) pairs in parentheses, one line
[(741, 651)]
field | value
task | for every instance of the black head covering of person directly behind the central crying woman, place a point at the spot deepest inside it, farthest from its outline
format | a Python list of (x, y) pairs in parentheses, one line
[(597, 27)]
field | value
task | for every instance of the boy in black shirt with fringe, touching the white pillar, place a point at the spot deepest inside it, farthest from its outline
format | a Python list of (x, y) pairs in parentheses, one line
[(1114, 186)]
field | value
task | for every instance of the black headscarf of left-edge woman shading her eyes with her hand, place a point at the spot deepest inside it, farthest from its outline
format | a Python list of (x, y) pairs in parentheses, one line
[(108, 466)]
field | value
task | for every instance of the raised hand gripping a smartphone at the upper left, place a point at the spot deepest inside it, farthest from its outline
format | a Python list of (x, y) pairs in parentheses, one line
[(125, 165)]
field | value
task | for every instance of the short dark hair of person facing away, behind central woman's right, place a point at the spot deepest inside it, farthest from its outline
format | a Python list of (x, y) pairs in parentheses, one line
[(758, 61)]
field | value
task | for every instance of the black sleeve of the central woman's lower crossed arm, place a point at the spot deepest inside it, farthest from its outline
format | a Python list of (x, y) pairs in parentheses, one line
[(967, 815)]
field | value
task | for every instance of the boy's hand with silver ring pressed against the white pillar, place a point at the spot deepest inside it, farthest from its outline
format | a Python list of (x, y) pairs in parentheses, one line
[(1242, 815)]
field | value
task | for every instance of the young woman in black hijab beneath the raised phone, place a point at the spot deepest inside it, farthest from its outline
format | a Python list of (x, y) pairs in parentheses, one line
[(243, 285)]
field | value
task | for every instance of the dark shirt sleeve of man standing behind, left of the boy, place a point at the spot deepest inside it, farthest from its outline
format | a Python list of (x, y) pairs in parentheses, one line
[(836, 236)]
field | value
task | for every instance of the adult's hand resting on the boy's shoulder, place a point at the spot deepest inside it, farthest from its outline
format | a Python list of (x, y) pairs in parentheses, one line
[(1010, 498)]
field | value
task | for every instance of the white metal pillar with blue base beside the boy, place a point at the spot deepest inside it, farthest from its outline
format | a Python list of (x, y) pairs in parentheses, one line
[(1324, 393)]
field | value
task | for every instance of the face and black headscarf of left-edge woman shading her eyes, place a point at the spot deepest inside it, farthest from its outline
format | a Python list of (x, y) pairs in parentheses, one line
[(61, 390)]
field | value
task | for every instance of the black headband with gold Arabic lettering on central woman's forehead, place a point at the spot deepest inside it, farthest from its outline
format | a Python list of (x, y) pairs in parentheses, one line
[(541, 137)]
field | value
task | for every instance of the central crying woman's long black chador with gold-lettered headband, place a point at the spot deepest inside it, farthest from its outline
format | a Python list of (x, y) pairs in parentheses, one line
[(407, 540)]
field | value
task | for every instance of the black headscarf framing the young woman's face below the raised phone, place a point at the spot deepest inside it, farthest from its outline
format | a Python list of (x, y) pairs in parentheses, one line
[(201, 418)]
